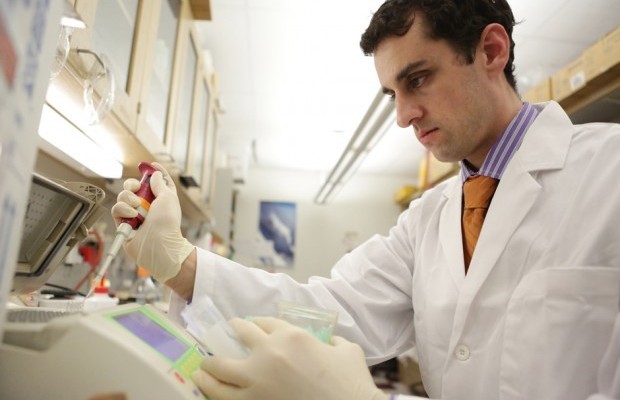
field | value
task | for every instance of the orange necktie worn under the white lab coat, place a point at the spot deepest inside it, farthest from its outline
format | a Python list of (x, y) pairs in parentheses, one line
[(477, 193)]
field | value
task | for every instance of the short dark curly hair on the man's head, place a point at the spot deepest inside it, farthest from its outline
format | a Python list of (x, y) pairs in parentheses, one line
[(459, 22)]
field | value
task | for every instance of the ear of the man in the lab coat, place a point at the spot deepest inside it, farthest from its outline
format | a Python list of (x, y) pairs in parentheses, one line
[(494, 47)]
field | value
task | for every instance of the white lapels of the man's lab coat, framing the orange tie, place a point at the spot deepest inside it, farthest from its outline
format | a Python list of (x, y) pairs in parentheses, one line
[(544, 147)]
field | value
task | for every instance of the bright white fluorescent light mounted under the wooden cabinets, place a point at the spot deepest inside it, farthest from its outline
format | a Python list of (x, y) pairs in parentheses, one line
[(74, 147)]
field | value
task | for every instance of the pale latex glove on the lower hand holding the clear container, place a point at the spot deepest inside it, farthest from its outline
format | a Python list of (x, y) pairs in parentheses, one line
[(285, 363)]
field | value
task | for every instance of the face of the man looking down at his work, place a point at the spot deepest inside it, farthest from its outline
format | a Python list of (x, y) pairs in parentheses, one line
[(445, 100)]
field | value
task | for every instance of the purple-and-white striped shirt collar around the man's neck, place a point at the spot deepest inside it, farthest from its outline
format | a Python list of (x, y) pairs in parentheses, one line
[(502, 151)]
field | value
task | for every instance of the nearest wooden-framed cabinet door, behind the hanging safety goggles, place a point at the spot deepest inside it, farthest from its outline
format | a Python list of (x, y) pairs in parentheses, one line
[(117, 33)]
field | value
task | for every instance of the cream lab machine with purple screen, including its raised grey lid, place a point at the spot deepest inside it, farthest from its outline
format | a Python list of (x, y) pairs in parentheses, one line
[(50, 354)]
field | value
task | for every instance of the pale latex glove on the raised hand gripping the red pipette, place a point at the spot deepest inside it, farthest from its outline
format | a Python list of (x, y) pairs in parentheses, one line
[(158, 244)]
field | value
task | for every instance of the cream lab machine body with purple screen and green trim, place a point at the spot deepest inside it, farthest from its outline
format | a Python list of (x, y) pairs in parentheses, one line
[(131, 349)]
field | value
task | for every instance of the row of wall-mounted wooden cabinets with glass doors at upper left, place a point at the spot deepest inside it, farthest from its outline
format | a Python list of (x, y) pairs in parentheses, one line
[(163, 108)]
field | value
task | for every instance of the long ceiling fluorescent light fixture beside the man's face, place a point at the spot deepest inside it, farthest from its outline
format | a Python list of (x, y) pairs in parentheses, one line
[(374, 124)]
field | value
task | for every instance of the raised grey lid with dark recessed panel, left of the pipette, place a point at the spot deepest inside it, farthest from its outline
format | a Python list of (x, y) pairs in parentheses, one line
[(58, 215)]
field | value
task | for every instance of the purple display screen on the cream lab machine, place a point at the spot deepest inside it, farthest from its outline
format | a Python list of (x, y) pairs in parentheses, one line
[(153, 334)]
